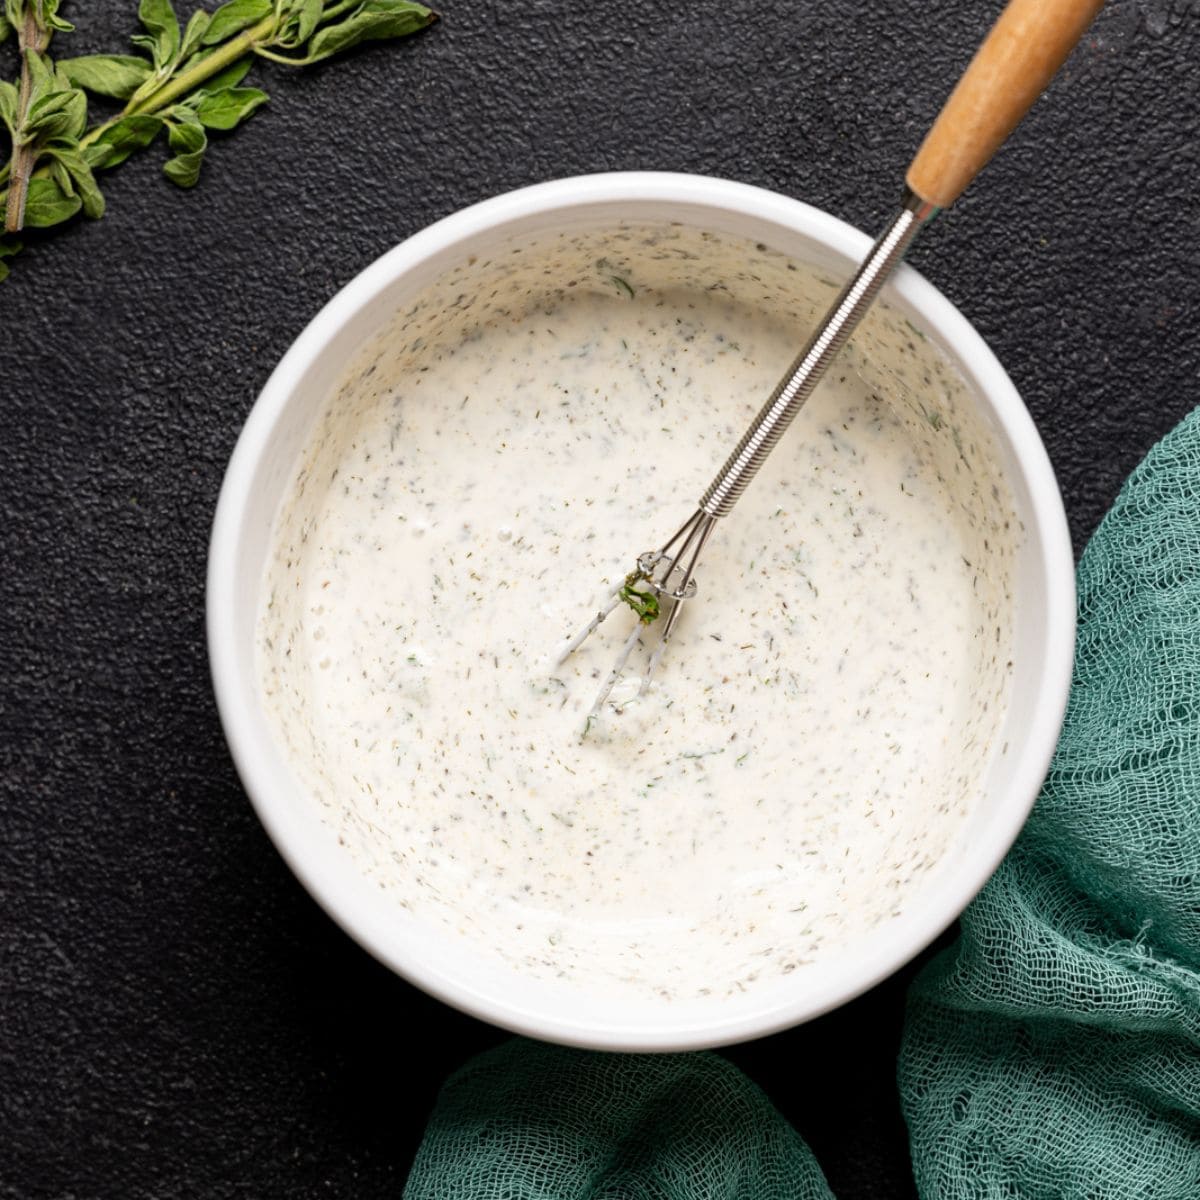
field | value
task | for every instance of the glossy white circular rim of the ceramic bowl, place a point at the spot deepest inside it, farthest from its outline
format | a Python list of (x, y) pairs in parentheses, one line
[(237, 705)]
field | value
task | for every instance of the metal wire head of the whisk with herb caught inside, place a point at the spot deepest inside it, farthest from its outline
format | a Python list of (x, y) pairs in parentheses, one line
[(662, 575)]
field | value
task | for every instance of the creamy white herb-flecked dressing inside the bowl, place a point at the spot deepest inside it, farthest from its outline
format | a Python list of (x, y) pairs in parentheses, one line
[(829, 707)]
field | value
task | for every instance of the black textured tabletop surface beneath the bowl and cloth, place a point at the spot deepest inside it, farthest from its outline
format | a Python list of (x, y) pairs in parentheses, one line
[(177, 1017)]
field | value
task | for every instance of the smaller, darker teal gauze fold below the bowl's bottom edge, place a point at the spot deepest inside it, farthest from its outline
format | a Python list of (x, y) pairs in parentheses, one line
[(530, 1121)]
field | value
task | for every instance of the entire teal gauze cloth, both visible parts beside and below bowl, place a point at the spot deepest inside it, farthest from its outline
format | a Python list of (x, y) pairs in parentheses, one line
[(1052, 1054)]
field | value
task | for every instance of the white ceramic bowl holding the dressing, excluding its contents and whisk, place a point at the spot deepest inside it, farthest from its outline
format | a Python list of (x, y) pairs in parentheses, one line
[(261, 470)]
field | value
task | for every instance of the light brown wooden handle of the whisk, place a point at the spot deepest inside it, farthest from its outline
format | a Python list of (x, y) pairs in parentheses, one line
[(1021, 56)]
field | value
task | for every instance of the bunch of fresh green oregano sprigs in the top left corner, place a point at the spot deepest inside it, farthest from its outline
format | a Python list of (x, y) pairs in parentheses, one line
[(187, 81)]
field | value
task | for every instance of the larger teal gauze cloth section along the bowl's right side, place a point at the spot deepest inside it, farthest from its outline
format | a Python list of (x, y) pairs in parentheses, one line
[(1055, 1051)]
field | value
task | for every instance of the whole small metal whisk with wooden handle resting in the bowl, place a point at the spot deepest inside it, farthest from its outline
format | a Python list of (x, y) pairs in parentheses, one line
[(1015, 64)]
